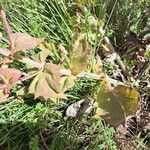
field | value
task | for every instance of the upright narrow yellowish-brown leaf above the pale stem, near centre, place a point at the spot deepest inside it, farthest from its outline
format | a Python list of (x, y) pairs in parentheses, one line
[(80, 55)]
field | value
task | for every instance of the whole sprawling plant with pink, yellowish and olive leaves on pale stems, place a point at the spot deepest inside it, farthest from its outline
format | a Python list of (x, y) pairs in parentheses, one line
[(51, 78)]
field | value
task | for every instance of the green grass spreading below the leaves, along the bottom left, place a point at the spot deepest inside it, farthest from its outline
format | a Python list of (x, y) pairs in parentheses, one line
[(37, 125)]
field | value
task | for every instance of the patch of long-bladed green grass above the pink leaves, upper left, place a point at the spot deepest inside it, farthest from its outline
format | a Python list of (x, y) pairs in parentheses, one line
[(47, 19)]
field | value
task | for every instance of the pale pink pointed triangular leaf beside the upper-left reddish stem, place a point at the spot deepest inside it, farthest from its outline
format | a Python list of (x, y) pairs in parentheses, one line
[(23, 41)]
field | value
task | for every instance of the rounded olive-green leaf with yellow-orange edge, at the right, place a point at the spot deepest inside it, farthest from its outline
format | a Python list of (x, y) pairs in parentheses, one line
[(116, 103)]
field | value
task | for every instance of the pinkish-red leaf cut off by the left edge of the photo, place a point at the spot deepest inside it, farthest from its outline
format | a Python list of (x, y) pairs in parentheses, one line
[(8, 78)]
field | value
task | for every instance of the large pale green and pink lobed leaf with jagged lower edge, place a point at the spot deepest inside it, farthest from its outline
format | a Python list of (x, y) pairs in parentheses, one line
[(51, 83)]
